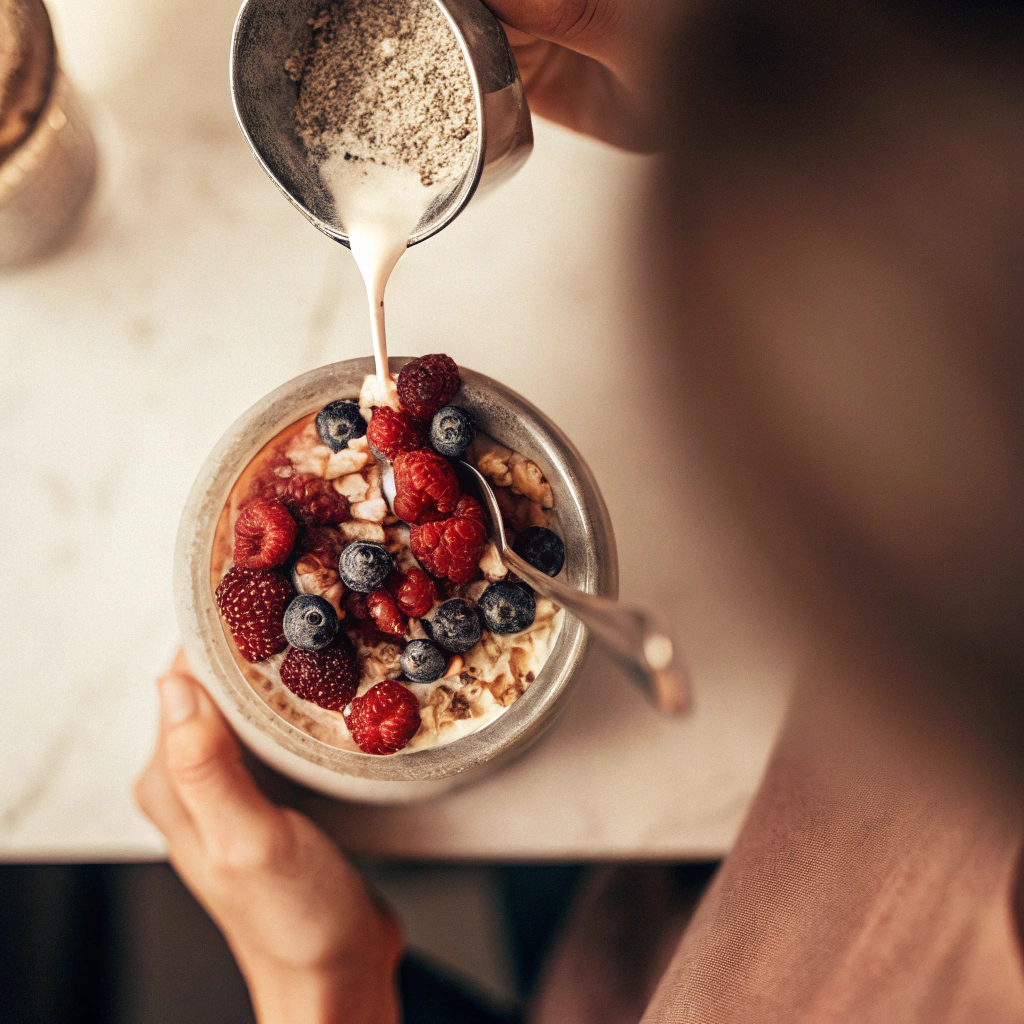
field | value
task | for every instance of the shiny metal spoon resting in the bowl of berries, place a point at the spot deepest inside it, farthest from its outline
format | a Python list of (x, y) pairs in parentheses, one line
[(636, 638)]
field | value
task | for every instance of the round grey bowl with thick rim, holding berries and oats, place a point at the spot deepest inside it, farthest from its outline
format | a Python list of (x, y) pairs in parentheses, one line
[(591, 566)]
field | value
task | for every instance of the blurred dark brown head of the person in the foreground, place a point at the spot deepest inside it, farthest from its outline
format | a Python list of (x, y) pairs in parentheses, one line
[(841, 257)]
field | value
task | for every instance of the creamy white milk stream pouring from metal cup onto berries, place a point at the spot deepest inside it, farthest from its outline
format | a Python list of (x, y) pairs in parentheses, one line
[(380, 208)]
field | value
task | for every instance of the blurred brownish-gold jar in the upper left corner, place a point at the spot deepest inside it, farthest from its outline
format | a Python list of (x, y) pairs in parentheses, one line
[(48, 153)]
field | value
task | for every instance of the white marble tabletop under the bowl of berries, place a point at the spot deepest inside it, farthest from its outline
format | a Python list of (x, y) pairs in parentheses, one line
[(195, 290)]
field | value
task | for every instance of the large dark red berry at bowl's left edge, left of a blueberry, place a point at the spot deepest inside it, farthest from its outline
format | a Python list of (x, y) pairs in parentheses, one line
[(253, 604)]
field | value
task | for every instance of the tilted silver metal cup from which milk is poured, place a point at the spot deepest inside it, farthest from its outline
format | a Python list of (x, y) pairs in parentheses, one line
[(269, 32)]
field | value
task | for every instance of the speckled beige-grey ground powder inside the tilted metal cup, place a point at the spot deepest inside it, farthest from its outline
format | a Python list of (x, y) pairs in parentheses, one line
[(386, 81)]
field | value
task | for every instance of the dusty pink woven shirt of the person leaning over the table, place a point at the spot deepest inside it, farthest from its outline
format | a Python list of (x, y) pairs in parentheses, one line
[(854, 894)]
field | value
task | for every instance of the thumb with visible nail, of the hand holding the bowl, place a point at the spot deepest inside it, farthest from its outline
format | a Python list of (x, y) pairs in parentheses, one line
[(204, 766)]
